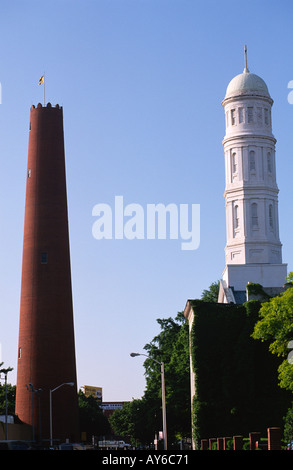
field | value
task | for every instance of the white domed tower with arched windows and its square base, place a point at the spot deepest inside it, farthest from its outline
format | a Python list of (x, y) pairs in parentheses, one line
[(253, 249)]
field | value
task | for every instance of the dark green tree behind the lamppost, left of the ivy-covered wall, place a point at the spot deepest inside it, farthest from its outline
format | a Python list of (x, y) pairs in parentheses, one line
[(141, 419)]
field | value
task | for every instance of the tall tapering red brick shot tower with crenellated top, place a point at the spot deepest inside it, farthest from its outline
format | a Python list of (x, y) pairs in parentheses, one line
[(46, 348)]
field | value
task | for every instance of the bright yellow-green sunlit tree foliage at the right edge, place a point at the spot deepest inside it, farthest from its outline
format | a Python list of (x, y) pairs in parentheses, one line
[(276, 326)]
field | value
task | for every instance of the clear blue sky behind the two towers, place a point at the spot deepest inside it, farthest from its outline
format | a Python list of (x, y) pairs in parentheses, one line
[(141, 84)]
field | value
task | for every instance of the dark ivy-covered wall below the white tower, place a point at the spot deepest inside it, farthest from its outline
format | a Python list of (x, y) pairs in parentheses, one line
[(236, 382)]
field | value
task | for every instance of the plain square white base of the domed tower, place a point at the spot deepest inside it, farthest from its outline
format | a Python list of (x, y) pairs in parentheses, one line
[(237, 276)]
